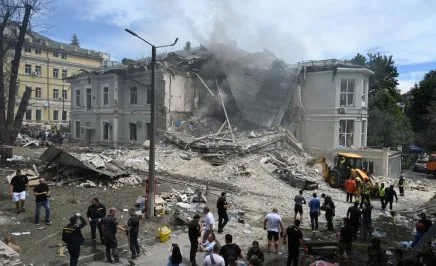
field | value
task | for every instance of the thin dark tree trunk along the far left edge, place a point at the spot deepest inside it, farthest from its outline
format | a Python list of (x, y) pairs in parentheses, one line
[(2, 80)]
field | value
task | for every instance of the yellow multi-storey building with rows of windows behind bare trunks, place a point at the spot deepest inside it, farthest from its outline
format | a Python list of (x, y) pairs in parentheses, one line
[(44, 66)]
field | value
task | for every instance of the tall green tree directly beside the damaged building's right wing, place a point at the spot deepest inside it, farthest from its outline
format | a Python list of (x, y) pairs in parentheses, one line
[(387, 125)]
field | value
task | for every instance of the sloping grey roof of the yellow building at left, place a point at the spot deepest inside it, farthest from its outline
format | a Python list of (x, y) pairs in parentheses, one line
[(64, 47)]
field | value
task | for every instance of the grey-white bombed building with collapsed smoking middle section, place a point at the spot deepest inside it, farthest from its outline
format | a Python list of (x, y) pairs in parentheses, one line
[(323, 104)]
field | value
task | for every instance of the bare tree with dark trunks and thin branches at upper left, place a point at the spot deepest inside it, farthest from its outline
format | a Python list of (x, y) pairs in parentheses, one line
[(15, 17)]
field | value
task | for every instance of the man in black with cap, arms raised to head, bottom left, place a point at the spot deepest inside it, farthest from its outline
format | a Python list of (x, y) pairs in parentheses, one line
[(72, 236)]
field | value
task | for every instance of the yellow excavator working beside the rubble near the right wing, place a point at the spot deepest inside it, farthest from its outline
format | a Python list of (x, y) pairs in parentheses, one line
[(345, 165)]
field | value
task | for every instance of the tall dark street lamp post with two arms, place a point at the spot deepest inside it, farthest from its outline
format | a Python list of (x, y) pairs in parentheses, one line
[(151, 161)]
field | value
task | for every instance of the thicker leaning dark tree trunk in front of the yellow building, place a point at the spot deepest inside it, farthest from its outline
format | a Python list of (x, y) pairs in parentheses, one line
[(14, 74)]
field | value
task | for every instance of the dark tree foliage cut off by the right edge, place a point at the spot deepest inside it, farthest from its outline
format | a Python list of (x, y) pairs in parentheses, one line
[(421, 110)]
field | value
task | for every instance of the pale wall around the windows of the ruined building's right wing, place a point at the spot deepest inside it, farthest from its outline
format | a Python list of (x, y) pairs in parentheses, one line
[(321, 101)]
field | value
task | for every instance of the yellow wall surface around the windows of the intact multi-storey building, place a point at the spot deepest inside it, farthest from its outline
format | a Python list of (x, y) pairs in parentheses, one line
[(47, 103)]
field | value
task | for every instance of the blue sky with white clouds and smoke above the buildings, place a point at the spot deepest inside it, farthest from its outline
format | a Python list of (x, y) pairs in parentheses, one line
[(293, 30)]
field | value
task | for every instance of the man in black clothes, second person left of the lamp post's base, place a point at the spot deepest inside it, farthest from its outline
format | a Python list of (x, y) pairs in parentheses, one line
[(110, 226)]
